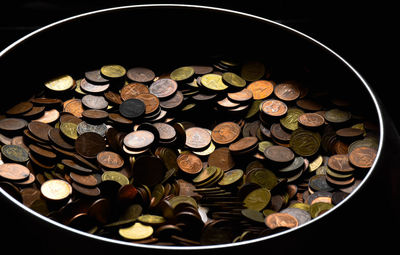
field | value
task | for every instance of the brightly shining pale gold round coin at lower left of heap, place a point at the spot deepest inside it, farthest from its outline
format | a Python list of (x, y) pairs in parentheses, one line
[(56, 189)]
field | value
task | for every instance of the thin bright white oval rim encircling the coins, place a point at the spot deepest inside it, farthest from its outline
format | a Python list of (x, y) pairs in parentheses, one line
[(223, 10)]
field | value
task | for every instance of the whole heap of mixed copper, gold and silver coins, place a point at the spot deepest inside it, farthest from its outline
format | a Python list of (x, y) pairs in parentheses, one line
[(194, 155)]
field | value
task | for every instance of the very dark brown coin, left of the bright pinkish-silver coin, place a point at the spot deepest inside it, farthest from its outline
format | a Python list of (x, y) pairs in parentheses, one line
[(89, 144)]
